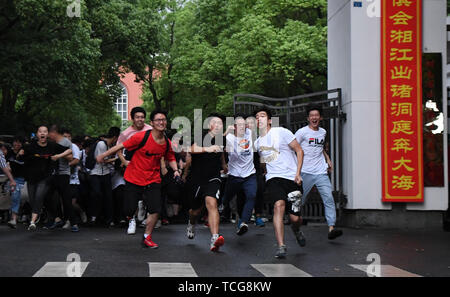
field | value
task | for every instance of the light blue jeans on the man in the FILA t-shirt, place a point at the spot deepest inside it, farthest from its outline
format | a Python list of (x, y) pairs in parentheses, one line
[(323, 184)]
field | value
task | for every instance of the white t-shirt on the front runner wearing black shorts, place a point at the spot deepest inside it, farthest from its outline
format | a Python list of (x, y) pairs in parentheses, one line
[(274, 150)]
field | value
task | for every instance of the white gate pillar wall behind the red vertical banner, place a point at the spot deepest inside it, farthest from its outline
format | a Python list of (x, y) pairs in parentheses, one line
[(354, 65)]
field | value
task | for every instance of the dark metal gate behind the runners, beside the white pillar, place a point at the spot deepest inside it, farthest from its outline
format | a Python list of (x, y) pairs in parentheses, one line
[(291, 113)]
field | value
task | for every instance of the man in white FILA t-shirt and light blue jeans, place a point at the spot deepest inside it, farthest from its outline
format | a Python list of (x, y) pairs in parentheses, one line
[(316, 164)]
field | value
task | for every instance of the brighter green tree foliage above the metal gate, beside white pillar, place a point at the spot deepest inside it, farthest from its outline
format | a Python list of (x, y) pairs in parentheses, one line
[(270, 47)]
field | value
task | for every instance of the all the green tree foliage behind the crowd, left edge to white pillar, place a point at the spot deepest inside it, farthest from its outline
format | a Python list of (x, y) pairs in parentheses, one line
[(189, 54)]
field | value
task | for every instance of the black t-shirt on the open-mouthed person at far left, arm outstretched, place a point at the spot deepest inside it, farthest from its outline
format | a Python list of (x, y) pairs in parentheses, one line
[(37, 159)]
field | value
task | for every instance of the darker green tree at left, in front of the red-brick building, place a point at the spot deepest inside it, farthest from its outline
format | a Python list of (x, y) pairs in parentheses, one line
[(65, 70)]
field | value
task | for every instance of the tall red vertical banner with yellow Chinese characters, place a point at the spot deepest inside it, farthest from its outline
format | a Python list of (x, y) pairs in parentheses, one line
[(401, 101)]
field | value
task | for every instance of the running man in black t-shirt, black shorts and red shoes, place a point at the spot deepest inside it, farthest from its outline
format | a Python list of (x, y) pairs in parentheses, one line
[(203, 182)]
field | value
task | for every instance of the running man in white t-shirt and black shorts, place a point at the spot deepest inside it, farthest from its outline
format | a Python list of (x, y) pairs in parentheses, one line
[(283, 158)]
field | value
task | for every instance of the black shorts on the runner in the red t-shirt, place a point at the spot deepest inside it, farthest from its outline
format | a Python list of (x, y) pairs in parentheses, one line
[(150, 194)]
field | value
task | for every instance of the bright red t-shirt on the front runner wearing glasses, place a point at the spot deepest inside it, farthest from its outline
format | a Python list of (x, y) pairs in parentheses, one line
[(145, 166)]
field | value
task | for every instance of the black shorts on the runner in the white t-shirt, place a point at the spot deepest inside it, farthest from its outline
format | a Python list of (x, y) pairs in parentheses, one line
[(279, 189)]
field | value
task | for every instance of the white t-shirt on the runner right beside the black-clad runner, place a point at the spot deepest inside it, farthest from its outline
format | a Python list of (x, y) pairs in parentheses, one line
[(240, 155)]
